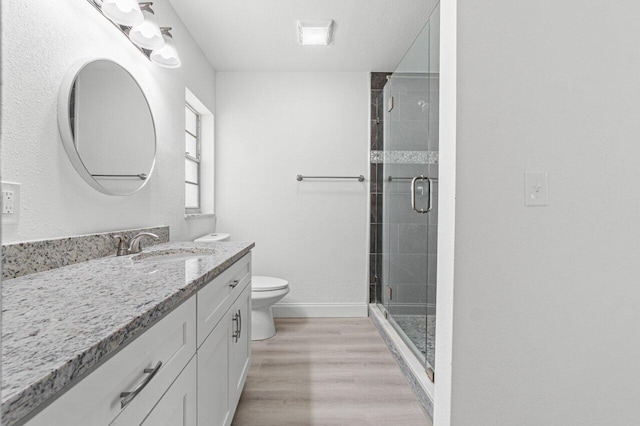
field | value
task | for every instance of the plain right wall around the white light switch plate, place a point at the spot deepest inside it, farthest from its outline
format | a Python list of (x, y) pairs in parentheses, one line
[(547, 299)]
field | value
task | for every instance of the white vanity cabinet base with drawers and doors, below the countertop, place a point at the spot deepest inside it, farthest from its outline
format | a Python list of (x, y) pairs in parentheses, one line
[(187, 370)]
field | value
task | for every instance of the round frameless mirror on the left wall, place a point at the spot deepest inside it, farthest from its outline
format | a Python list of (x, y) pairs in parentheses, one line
[(107, 128)]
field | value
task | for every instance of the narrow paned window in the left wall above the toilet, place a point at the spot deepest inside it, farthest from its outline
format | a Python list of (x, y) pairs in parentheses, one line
[(192, 161)]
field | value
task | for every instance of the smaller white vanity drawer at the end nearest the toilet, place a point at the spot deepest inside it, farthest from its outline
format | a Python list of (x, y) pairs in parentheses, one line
[(216, 298)]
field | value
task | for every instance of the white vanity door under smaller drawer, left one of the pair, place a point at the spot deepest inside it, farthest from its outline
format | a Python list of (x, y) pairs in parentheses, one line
[(213, 374)]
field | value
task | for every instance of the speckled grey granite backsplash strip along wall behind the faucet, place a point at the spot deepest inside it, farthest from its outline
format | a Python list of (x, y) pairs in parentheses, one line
[(30, 257)]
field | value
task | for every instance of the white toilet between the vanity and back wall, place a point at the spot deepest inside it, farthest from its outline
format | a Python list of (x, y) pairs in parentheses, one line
[(265, 291)]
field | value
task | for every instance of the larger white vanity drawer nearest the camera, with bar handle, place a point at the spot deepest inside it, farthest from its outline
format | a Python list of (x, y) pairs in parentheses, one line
[(96, 399)]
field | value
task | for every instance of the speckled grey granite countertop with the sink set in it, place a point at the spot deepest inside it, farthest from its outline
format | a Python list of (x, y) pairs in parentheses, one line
[(58, 324)]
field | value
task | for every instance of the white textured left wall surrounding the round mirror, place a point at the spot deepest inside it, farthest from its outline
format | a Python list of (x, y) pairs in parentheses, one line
[(41, 40)]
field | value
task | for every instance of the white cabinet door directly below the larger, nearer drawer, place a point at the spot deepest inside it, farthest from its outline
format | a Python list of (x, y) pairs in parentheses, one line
[(178, 406)]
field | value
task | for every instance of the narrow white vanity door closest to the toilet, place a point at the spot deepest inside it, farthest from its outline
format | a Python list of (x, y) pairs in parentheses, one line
[(240, 347)]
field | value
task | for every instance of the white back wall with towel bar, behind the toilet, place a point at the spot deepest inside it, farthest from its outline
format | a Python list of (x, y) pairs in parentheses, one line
[(272, 126)]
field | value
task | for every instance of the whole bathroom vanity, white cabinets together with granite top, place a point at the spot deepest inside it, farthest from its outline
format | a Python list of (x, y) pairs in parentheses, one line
[(154, 340)]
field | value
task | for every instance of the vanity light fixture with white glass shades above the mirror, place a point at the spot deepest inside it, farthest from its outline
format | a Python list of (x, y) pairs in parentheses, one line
[(138, 22)]
